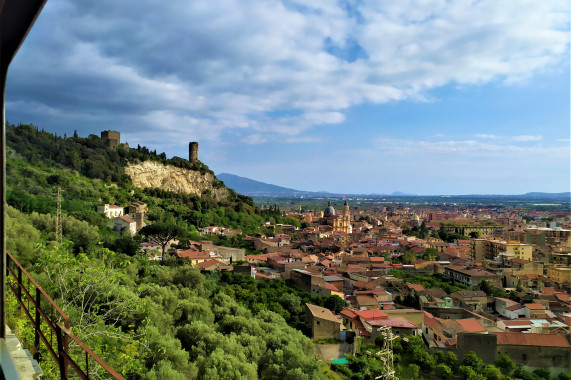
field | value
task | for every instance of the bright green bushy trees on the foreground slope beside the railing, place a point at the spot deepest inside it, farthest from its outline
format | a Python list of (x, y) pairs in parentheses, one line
[(153, 321)]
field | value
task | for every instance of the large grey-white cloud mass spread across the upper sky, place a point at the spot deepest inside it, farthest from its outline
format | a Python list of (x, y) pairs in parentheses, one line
[(204, 68)]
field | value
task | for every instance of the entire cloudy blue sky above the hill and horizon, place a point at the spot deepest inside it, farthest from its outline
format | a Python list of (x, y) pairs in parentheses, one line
[(351, 96)]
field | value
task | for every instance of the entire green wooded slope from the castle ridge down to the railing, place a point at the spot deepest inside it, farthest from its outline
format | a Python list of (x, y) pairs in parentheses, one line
[(147, 319)]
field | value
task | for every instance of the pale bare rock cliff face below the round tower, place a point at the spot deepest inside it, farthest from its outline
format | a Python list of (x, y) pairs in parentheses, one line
[(167, 177)]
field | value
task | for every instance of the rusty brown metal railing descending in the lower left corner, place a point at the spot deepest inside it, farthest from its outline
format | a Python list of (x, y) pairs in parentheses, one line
[(31, 297)]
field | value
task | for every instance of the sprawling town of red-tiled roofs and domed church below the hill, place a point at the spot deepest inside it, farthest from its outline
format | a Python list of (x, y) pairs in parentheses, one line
[(489, 280)]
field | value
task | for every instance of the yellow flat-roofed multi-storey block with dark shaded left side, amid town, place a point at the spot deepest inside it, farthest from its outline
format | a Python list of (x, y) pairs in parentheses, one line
[(486, 249)]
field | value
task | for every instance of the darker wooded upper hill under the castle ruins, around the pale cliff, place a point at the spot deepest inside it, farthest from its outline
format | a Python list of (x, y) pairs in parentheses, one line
[(89, 173)]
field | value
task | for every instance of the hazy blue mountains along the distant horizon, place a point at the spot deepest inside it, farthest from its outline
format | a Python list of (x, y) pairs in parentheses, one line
[(254, 188)]
